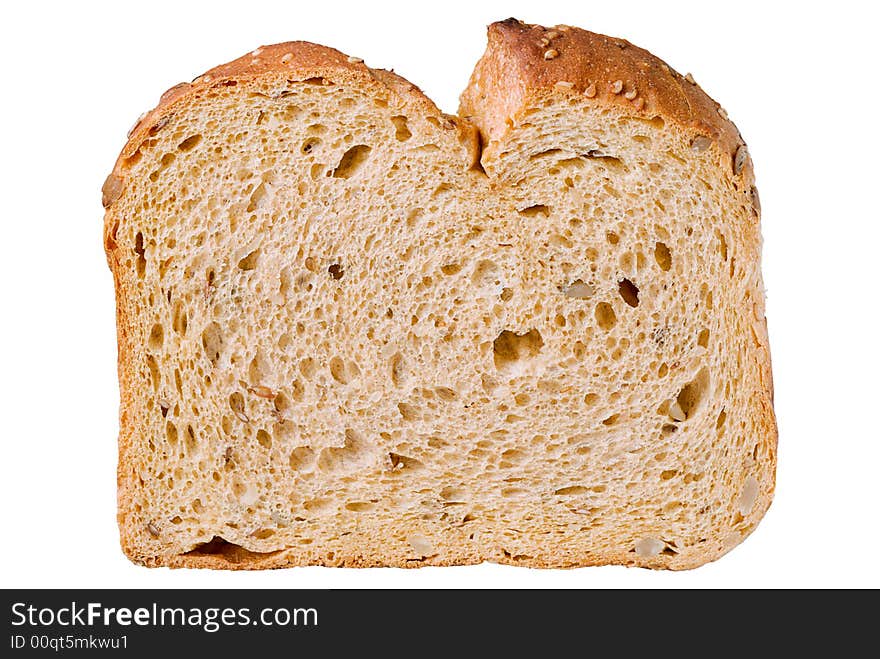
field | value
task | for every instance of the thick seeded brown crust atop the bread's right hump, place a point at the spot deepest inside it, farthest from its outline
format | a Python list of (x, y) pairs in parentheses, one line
[(524, 63)]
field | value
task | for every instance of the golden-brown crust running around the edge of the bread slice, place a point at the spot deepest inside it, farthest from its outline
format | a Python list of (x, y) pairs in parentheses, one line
[(517, 67)]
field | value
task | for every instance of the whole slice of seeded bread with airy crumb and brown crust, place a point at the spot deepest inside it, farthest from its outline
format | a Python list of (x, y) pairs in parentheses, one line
[(356, 331)]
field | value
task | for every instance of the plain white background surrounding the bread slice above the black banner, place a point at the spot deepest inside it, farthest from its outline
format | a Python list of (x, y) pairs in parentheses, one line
[(800, 83)]
